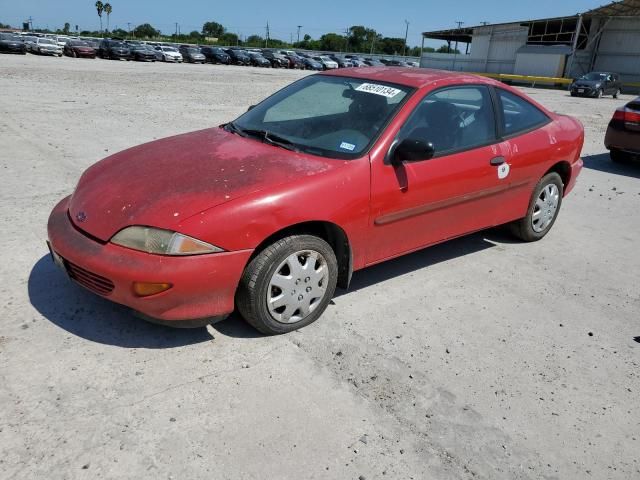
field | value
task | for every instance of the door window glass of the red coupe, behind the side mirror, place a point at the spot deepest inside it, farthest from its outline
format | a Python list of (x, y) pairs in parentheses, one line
[(453, 119)]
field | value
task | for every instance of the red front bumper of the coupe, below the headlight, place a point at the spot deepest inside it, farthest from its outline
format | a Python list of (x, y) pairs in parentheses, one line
[(203, 285)]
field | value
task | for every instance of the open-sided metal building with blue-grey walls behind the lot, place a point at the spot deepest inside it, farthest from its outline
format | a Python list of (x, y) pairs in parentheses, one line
[(605, 39)]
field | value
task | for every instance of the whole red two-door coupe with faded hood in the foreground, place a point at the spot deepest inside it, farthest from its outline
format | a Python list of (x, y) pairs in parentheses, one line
[(336, 172)]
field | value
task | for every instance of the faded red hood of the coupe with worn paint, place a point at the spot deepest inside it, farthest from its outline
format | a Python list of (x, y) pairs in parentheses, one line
[(164, 182)]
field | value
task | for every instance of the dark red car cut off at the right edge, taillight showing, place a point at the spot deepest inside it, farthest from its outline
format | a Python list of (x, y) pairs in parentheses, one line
[(623, 134)]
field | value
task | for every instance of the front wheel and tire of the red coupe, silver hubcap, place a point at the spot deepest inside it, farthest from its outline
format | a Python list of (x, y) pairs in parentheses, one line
[(283, 259)]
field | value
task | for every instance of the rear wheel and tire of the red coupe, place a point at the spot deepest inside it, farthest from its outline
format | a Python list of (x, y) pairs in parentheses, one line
[(543, 209)]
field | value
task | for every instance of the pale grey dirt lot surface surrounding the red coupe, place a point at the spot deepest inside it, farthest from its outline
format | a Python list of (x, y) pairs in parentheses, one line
[(479, 358)]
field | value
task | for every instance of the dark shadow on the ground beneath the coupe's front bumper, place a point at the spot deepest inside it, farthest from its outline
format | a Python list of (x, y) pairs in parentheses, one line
[(89, 316)]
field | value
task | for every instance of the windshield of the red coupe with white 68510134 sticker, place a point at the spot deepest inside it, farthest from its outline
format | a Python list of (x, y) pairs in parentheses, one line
[(336, 117)]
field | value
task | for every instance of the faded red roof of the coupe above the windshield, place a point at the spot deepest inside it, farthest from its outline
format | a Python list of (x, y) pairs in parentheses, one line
[(411, 77)]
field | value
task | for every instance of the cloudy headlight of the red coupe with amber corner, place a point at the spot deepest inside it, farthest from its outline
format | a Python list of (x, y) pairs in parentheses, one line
[(161, 242)]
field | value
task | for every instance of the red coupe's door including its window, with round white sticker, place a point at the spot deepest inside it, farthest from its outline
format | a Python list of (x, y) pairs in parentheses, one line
[(418, 203)]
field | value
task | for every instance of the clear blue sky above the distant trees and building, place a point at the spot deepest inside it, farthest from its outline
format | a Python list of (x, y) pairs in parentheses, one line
[(250, 16)]
